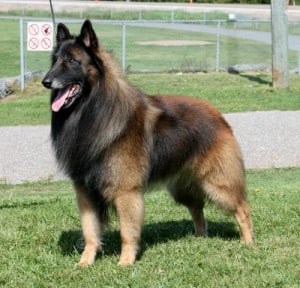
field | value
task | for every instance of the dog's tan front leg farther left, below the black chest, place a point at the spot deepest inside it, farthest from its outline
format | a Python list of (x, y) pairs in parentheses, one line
[(91, 227)]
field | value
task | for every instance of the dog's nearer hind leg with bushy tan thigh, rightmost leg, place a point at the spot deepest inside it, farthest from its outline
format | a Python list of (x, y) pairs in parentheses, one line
[(221, 175)]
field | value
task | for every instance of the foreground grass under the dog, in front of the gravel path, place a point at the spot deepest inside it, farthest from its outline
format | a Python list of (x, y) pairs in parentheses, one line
[(40, 240)]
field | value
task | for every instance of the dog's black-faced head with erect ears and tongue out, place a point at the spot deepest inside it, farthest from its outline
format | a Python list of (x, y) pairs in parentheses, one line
[(75, 66)]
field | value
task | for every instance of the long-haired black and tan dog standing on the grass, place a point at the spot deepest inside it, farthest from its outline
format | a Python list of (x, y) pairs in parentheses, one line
[(113, 141)]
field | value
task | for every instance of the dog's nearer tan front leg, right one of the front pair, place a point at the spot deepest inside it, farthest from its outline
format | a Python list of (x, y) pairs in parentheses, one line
[(130, 209)]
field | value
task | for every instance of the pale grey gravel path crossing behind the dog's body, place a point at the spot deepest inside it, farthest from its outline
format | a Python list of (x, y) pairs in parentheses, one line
[(268, 139)]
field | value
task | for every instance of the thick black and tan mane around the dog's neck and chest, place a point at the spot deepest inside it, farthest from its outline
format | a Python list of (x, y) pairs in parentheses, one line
[(110, 104)]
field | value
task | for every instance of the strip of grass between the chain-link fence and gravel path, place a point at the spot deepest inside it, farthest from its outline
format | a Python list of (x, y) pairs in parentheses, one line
[(228, 92)]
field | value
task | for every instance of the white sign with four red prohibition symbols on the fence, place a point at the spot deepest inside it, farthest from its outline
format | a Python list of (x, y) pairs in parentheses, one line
[(39, 36)]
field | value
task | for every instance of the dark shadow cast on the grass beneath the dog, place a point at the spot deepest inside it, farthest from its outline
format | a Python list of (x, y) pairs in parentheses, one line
[(72, 242)]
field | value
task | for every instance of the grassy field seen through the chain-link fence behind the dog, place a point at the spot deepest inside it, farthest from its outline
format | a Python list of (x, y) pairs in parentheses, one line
[(141, 57)]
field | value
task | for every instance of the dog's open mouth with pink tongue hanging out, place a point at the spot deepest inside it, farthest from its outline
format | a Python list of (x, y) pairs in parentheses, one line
[(66, 96)]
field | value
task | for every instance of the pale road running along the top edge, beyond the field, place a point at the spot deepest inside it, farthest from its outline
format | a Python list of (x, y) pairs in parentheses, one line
[(257, 11)]
